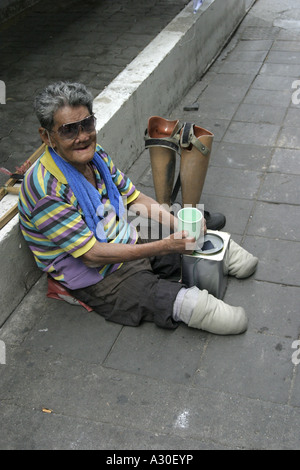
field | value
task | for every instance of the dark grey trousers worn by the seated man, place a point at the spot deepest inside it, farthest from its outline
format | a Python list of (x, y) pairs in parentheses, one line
[(138, 291)]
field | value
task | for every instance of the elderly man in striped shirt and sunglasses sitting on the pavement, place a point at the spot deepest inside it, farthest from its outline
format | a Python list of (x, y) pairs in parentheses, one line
[(72, 214)]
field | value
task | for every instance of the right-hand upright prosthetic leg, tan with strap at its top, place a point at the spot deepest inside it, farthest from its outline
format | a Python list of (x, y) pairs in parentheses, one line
[(196, 144)]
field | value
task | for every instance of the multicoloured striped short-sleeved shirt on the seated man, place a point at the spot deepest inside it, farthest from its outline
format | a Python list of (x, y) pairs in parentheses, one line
[(53, 224)]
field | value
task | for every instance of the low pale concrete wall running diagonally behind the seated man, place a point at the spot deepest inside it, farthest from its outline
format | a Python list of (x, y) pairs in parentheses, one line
[(159, 76)]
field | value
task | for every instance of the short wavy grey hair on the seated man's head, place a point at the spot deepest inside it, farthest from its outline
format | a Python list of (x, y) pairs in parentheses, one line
[(56, 96)]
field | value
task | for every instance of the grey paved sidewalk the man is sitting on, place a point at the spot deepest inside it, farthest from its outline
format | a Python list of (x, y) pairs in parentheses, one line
[(116, 388)]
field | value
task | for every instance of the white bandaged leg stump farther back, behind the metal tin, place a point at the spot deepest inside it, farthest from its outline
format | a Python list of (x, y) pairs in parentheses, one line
[(240, 263)]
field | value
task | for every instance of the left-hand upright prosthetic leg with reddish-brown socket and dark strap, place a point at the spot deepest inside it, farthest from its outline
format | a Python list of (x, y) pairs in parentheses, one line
[(162, 139)]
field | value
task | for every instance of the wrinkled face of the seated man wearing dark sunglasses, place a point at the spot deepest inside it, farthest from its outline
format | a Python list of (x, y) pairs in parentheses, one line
[(78, 150)]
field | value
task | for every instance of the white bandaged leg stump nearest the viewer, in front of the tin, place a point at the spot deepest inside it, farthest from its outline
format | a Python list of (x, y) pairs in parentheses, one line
[(213, 315)]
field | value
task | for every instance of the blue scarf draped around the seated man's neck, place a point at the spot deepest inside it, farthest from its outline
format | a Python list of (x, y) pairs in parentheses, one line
[(88, 196)]
